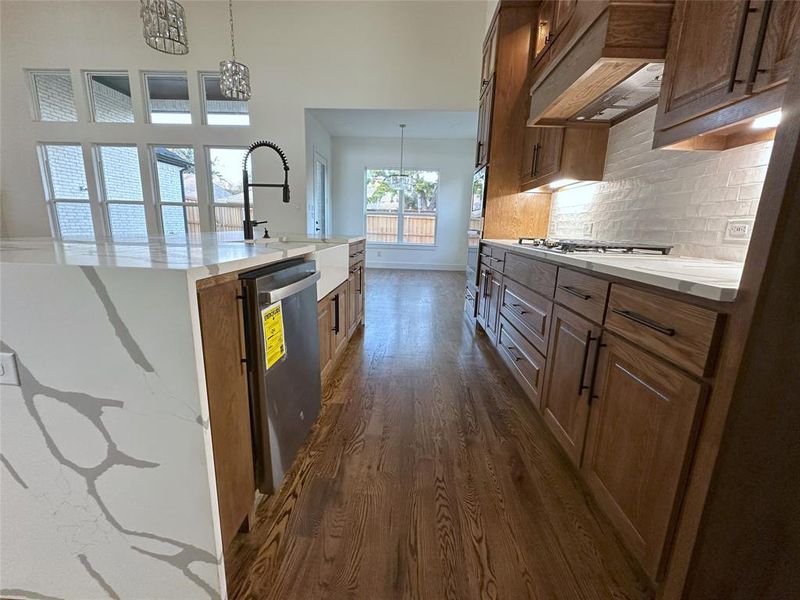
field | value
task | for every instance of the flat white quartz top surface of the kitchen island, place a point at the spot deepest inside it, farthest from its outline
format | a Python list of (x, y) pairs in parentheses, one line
[(203, 255)]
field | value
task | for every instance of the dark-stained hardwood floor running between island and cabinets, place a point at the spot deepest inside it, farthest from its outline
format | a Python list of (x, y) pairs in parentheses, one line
[(428, 476)]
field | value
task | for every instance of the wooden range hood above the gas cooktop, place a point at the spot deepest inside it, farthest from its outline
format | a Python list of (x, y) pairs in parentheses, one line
[(598, 61)]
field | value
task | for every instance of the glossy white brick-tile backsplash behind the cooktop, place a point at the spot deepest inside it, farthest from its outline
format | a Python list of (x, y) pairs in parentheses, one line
[(669, 196)]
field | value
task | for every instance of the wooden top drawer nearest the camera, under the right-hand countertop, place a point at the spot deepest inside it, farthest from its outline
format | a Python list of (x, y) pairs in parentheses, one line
[(683, 334)]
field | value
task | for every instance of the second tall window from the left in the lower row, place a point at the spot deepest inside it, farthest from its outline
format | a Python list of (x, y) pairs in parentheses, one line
[(121, 189)]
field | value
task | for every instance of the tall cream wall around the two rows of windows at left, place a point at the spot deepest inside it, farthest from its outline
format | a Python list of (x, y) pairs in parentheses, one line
[(403, 55)]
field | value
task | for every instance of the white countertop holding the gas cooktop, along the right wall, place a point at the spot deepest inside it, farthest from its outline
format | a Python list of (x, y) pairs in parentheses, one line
[(712, 279)]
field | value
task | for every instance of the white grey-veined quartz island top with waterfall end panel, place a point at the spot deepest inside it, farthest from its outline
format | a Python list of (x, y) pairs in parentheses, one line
[(108, 478)]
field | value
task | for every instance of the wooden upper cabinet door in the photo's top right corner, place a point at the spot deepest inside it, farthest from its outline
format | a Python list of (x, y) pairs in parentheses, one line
[(781, 37)]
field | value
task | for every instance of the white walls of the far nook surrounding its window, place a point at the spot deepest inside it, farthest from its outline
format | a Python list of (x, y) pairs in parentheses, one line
[(454, 161)]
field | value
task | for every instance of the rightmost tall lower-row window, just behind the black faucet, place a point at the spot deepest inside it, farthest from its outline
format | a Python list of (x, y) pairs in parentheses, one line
[(225, 166)]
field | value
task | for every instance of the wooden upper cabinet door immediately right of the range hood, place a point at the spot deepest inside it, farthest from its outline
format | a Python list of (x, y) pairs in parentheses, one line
[(708, 58)]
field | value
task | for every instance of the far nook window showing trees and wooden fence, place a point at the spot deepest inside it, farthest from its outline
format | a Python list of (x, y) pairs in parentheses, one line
[(398, 217)]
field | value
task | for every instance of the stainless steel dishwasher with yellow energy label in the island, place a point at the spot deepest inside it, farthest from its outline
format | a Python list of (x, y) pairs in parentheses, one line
[(282, 364)]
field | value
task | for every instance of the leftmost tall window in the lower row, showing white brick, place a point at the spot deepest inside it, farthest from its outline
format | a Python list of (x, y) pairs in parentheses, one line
[(66, 191)]
